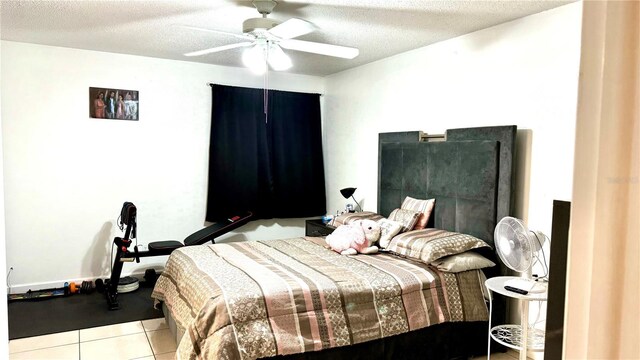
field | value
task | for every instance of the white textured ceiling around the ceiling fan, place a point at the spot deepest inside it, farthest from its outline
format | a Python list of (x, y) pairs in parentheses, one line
[(379, 28)]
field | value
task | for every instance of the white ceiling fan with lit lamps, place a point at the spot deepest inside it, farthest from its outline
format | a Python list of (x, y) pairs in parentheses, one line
[(265, 38)]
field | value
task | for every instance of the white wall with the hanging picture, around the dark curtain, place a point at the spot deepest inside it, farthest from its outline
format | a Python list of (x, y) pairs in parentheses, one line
[(67, 175)]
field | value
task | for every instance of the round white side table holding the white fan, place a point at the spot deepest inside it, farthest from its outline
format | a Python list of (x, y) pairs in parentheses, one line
[(519, 337)]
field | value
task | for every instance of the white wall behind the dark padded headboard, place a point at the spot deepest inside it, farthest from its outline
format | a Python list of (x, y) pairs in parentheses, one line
[(522, 73)]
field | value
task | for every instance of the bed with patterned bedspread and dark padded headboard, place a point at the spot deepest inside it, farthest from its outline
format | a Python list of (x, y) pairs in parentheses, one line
[(295, 298)]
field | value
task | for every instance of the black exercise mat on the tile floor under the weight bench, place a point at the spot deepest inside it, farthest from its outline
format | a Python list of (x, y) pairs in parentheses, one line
[(80, 311)]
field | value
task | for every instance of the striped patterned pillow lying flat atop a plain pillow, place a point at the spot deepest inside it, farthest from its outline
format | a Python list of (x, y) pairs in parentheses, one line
[(429, 245)]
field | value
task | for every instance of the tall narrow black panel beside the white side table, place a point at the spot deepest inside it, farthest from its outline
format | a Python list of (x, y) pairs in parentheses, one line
[(554, 334)]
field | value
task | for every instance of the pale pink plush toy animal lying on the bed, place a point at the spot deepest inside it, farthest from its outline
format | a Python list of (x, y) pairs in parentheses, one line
[(354, 238)]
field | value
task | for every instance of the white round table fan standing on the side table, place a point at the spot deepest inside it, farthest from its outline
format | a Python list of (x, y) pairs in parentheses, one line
[(518, 248)]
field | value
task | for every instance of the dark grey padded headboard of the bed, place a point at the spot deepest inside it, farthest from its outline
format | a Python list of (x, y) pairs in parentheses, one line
[(470, 175)]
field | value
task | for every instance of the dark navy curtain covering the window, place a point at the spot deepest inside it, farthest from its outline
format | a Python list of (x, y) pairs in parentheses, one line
[(269, 165)]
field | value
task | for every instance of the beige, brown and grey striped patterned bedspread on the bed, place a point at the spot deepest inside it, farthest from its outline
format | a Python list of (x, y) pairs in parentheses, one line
[(257, 299)]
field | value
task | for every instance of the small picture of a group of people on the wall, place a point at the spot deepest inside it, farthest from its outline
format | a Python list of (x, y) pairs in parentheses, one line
[(117, 104)]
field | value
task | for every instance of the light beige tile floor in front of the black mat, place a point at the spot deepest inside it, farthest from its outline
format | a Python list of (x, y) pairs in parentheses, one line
[(147, 339)]
